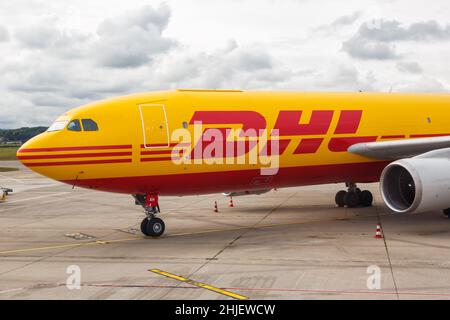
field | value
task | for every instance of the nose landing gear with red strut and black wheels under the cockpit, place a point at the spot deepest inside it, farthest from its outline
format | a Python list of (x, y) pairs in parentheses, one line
[(151, 225)]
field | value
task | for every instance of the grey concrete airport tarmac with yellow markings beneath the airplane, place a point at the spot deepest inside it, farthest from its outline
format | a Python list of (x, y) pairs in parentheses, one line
[(290, 243)]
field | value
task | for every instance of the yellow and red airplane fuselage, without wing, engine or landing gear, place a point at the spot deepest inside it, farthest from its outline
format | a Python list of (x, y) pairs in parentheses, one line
[(134, 148)]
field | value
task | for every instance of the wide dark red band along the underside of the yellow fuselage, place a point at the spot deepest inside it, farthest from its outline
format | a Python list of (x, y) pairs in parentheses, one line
[(238, 180)]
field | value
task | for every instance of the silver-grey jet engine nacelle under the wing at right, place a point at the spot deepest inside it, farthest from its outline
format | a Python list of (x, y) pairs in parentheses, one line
[(417, 184)]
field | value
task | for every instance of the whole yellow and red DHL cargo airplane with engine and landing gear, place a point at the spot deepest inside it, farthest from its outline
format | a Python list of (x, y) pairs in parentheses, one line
[(186, 142)]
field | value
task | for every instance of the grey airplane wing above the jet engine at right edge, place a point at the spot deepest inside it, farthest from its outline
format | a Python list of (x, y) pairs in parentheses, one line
[(398, 149)]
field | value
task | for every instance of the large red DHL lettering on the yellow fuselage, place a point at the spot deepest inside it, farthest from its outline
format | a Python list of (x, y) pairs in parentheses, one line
[(287, 123)]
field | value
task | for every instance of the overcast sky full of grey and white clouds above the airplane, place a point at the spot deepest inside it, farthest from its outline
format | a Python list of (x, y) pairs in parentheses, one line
[(58, 54)]
